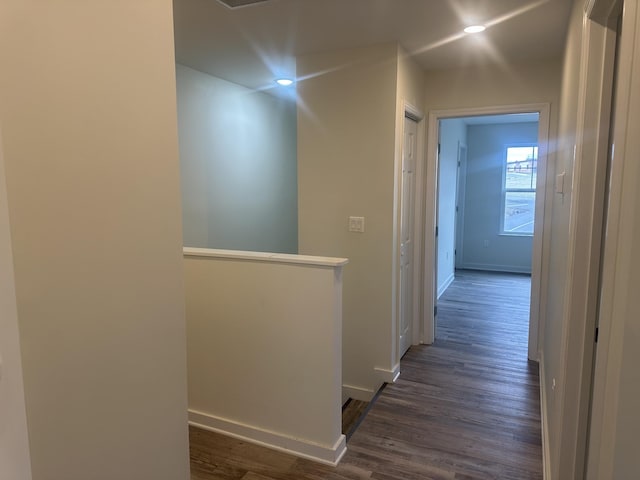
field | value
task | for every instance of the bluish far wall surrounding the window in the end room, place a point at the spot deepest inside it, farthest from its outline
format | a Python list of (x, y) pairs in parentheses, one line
[(483, 200)]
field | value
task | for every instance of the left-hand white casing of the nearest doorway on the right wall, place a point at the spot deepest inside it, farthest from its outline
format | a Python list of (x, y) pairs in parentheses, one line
[(583, 275)]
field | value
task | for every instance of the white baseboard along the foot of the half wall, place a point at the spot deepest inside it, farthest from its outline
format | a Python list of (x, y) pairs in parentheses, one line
[(329, 455)]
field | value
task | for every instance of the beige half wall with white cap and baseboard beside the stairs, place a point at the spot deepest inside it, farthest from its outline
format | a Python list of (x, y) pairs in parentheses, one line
[(264, 348)]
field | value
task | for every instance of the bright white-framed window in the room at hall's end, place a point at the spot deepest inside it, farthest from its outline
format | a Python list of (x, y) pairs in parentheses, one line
[(520, 167)]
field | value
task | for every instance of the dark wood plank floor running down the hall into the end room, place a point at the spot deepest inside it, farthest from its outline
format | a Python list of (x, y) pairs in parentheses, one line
[(466, 407)]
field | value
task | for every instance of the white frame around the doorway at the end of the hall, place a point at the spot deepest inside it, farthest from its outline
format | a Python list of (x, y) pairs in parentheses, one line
[(540, 256)]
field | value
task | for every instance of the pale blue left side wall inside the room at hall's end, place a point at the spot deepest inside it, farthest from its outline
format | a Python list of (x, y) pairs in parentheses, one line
[(453, 133)]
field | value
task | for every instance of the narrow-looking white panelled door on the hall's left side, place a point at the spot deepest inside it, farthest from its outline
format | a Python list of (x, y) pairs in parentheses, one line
[(406, 233)]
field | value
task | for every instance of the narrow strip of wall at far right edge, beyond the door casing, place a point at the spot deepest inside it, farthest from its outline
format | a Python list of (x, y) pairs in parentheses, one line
[(622, 387)]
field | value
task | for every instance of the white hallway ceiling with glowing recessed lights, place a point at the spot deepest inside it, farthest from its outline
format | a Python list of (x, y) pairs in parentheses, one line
[(254, 44)]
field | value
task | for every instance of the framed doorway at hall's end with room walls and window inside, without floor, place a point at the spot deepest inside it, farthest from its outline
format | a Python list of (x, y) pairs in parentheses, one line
[(487, 214)]
